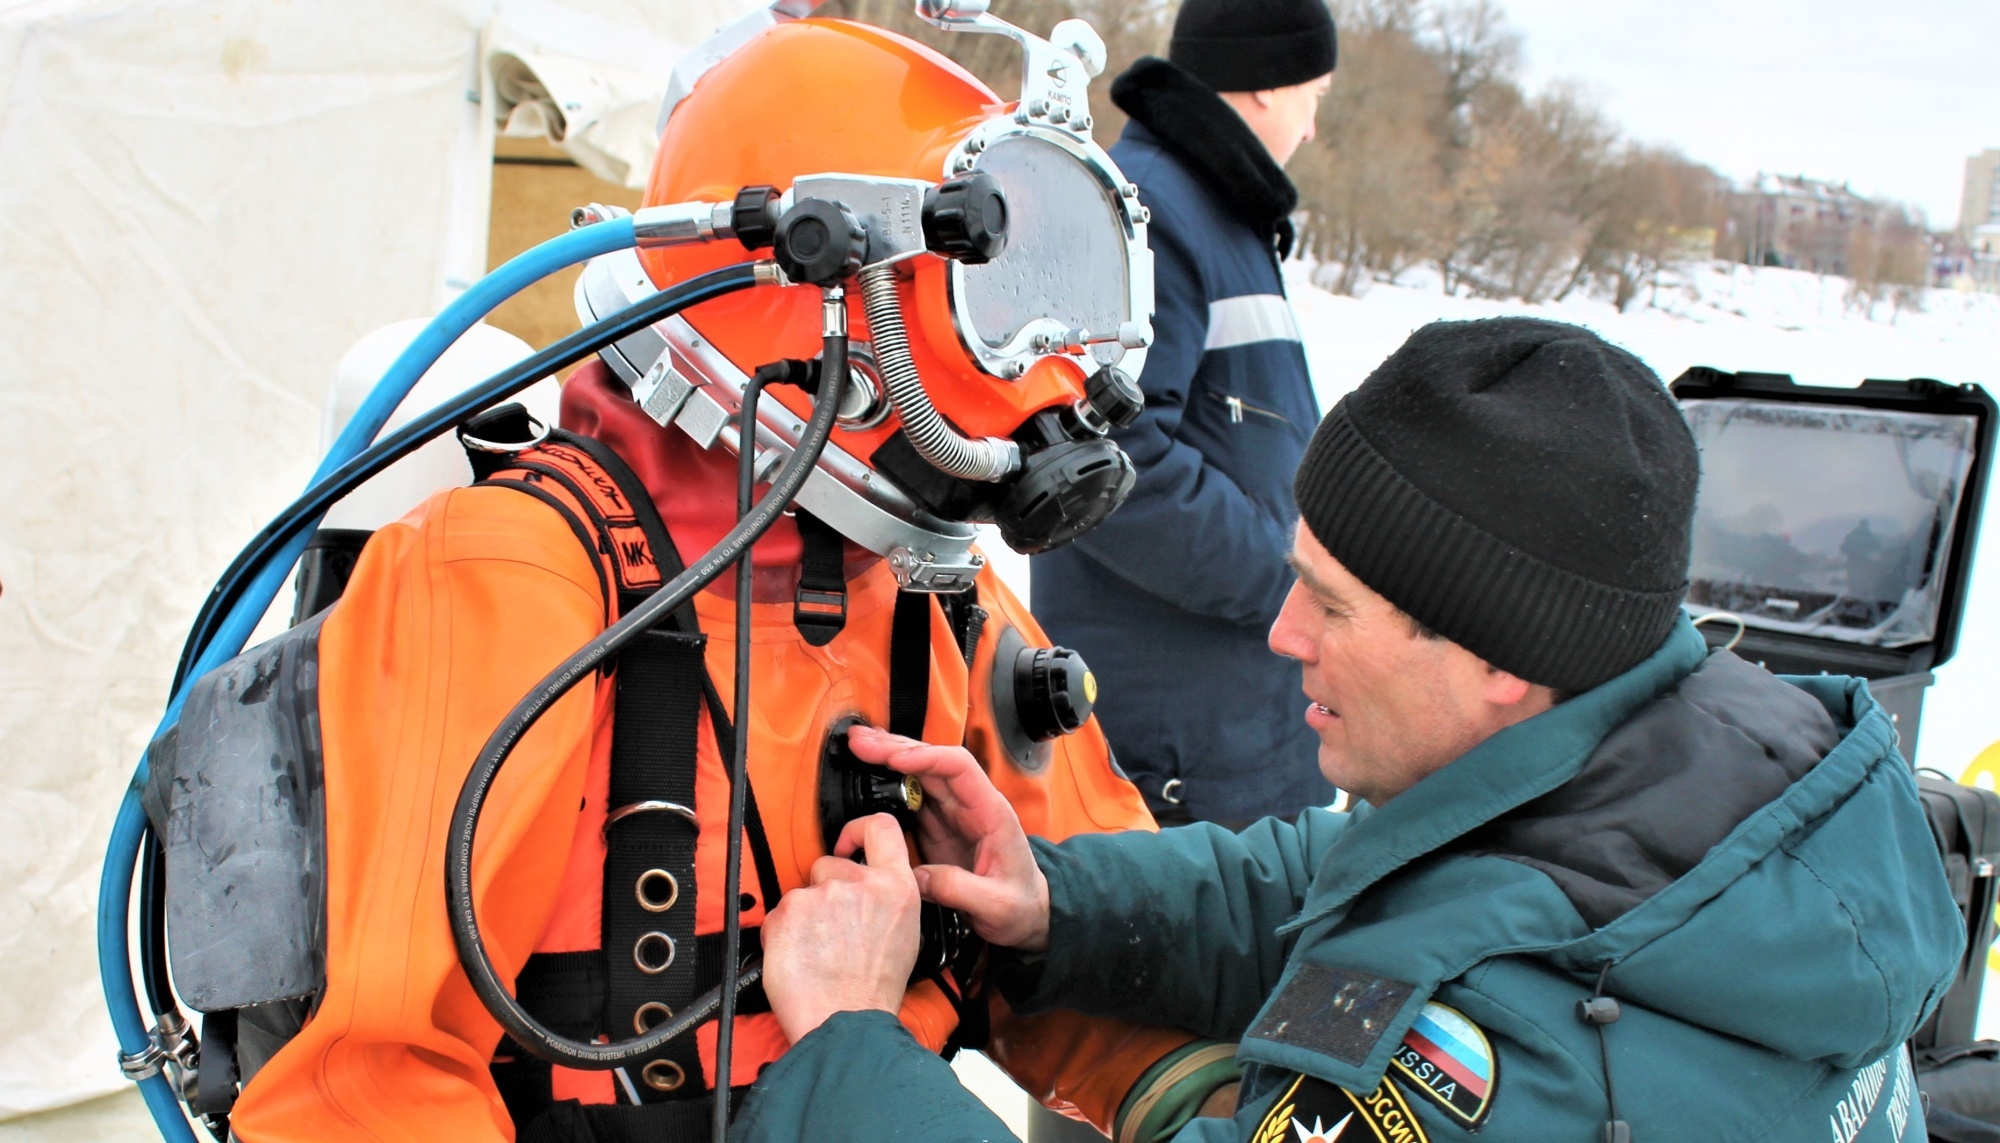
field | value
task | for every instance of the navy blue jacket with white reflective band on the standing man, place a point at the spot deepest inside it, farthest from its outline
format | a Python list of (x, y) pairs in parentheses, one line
[(1173, 596)]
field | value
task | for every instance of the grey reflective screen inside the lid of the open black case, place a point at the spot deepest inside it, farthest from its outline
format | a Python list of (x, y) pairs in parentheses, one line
[(1829, 523)]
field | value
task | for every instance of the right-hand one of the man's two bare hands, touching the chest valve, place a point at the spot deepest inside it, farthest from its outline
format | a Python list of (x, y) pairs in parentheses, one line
[(983, 864)]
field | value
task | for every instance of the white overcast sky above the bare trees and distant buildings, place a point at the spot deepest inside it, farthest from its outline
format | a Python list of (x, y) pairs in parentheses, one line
[(1889, 95)]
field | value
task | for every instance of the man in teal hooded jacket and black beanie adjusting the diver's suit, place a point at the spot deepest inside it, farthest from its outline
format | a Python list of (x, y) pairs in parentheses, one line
[(1601, 884)]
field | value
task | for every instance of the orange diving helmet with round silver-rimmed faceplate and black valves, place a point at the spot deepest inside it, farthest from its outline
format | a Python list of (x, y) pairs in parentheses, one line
[(1003, 299)]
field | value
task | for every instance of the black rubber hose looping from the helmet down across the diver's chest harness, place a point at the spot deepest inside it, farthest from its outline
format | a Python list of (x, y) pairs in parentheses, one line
[(487, 984)]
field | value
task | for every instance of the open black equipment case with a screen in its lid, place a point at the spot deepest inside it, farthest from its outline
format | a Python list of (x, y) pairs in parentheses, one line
[(1795, 485)]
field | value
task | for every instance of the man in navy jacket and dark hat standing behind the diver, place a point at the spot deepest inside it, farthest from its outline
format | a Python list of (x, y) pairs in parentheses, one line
[(1171, 598)]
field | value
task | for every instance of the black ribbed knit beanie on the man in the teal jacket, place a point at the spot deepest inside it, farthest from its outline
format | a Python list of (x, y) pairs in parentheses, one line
[(1519, 487)]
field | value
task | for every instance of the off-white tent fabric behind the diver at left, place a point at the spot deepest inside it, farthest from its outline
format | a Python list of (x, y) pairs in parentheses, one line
[(205, 205)]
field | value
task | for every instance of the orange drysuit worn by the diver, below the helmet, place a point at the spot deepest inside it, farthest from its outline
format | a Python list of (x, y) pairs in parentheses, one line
[(453, 614)]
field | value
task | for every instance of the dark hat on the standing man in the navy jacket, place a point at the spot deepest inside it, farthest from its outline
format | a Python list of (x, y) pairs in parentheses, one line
[(1253, 45)]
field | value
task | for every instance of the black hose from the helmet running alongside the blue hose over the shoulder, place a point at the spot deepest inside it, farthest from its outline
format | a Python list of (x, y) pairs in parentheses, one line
[(389, 451)]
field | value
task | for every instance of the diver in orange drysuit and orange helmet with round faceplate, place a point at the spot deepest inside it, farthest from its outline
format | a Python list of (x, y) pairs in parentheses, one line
[(599, 882)]
